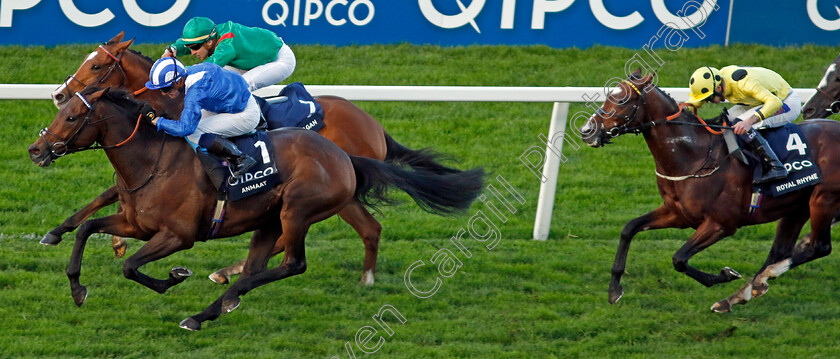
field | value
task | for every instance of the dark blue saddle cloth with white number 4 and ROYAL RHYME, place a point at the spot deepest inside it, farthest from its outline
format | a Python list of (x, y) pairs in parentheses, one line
[(788, 143)]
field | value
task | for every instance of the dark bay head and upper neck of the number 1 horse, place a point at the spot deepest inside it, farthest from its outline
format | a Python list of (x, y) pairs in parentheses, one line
[(83, 121)]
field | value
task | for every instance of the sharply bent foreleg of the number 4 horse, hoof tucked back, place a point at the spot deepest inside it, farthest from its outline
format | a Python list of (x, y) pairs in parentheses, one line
[(708, 233)]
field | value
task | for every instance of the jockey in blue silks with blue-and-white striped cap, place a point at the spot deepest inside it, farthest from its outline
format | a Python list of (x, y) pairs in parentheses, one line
[(217, 105)]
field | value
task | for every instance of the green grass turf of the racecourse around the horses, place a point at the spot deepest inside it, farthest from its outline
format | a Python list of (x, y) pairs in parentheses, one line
[(524, 299)]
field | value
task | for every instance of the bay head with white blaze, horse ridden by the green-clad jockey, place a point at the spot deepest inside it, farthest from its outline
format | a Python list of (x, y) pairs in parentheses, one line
[(97, 69)]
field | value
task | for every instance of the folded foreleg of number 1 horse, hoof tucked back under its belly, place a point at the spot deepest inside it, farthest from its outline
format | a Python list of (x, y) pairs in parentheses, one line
[(162, 244)]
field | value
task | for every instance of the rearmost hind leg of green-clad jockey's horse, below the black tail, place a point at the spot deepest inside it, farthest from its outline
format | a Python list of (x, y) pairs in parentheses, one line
[(370, 230)]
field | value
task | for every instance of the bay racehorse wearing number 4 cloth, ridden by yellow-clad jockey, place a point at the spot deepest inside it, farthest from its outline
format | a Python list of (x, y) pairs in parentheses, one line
[(705, 189)]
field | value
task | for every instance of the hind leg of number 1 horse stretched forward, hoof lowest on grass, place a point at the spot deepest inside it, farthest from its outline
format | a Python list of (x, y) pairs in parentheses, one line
[(294, 263)]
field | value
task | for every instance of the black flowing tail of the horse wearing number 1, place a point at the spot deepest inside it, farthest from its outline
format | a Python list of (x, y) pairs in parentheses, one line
[(436, 193)]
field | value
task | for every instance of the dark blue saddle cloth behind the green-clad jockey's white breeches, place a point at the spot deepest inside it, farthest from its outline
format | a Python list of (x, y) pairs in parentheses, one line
[(299, 109)]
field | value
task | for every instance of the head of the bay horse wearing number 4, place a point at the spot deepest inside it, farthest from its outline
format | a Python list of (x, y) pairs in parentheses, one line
[(624, 111)]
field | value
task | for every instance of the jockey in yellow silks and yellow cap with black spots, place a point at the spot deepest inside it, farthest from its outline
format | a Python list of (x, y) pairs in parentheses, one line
[(763, 100)]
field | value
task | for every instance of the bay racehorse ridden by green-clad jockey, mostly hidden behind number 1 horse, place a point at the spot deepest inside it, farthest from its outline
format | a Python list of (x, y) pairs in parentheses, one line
[(346, 125)]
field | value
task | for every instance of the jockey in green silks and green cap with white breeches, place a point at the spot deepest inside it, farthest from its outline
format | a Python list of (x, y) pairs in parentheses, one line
[(258, 54)]
